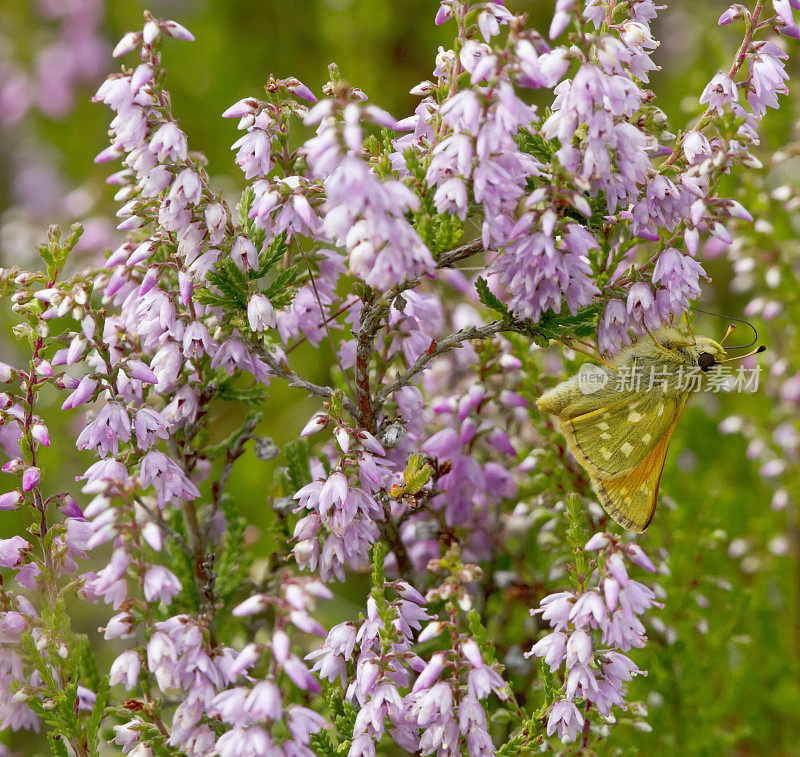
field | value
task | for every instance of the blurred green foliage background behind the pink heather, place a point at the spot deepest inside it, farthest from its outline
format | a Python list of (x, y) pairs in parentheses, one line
[(723, 660)]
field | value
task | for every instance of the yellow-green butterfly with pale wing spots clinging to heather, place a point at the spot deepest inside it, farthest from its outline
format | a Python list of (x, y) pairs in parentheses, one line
[(618, 418)]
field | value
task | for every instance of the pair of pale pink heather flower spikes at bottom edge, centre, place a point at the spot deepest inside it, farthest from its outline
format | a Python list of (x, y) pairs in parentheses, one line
[(432, 706)]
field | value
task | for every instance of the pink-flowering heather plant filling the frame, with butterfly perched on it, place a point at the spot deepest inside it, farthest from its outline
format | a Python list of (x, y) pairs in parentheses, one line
[(438, 577)]
